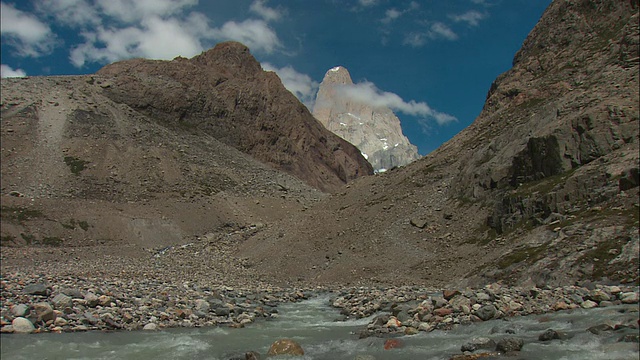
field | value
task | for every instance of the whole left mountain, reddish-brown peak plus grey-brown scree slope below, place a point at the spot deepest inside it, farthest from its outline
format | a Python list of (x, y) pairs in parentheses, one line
[(147, 154)]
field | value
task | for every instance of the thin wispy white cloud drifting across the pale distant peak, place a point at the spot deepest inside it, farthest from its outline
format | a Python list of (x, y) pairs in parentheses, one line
[(367, 93)]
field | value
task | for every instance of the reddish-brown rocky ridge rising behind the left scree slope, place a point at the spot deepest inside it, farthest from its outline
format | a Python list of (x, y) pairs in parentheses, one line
[(225, 93)]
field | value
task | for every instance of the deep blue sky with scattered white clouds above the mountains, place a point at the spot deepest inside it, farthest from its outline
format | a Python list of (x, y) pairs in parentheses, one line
[(431, 61)]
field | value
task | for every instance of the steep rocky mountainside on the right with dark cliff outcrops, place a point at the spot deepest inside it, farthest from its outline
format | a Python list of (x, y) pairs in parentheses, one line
[(542, 188)]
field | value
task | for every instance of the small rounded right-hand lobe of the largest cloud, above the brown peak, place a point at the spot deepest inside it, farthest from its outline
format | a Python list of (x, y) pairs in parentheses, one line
[(255, 34)]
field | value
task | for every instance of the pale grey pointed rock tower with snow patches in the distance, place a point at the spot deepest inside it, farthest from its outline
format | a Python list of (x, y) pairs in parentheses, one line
[(375, 130)]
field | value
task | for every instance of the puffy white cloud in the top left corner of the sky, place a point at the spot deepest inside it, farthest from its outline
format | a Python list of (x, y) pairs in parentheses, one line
[(28, 35)]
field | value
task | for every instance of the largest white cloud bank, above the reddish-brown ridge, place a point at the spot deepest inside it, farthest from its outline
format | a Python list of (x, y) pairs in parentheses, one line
[(158, 29)]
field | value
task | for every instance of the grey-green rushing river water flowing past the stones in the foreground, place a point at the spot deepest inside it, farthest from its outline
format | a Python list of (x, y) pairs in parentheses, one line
[(312, 324)]
